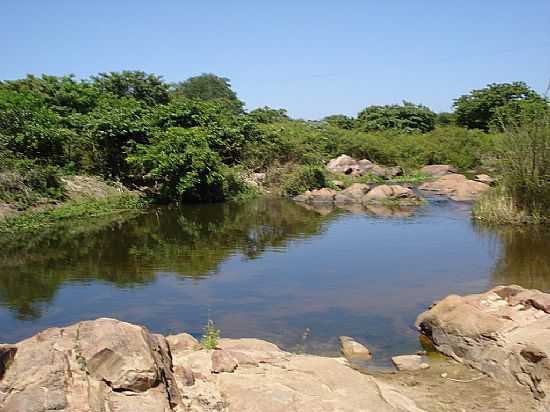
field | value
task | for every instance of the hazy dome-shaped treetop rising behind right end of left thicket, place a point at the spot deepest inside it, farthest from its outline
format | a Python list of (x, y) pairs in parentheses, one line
[(208, 86)]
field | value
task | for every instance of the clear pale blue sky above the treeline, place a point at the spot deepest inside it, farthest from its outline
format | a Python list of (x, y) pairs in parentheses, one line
[(313, 58)]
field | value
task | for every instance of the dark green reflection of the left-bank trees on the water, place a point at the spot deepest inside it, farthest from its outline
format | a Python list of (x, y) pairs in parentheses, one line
[(189, 241)]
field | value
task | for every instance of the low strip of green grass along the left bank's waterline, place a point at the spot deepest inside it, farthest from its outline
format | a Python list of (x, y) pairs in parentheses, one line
[(33, 221)]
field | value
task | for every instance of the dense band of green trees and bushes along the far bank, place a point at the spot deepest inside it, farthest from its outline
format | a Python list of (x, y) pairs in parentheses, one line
[(194, 142)]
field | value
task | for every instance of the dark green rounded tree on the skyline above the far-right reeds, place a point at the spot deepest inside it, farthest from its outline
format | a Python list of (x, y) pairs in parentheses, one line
[(480, 108)]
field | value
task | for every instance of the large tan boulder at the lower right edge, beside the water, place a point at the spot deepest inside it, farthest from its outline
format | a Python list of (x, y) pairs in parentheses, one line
[(504, 332)]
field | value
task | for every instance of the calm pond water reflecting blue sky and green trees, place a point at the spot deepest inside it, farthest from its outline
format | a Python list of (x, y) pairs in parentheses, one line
[(270, 269)]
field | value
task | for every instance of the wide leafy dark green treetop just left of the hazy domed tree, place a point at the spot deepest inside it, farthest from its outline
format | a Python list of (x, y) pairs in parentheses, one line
[(148, 88)]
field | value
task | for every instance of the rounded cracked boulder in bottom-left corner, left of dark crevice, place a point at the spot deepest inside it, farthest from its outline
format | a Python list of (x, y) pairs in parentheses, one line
[(94, 365)]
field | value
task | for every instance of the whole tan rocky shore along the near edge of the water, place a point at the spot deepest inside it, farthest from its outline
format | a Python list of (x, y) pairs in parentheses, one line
[(497, 347)]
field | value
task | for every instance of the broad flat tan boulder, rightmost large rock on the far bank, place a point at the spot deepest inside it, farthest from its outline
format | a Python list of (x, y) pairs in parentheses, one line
[(457, 187)]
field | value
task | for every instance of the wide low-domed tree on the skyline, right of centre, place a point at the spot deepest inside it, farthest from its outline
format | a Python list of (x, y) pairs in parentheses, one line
[(408, 117)]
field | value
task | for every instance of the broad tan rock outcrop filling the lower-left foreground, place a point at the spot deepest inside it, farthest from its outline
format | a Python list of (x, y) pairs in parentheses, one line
[(111, 366)]
